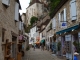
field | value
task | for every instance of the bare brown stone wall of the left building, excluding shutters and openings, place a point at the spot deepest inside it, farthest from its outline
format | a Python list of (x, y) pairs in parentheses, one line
[(8, 23)]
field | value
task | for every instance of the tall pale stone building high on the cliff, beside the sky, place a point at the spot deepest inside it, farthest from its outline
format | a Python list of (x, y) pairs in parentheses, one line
[(35, 9)]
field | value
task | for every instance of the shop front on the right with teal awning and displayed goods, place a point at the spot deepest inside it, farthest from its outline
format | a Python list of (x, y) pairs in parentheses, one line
[(69, 41)]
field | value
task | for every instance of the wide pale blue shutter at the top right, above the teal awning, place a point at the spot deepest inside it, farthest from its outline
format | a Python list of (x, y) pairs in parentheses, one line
[(73, 10)]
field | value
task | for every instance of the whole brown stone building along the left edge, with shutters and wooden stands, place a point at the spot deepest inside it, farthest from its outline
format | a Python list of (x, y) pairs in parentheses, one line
[(9, 28)]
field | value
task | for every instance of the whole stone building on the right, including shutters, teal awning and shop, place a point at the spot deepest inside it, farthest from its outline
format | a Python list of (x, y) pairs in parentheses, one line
[(65, 20)]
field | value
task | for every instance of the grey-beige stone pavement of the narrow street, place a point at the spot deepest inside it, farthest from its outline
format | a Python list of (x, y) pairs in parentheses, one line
[(40, 55)]
